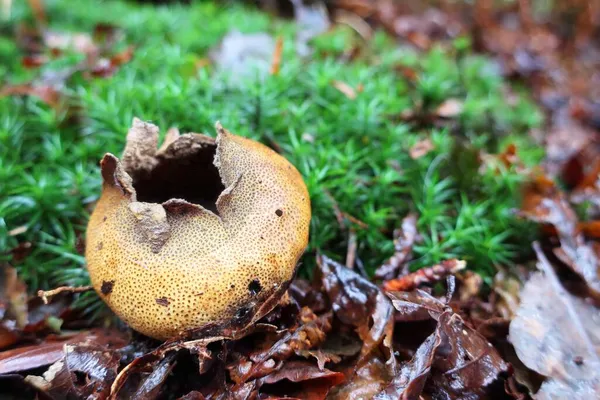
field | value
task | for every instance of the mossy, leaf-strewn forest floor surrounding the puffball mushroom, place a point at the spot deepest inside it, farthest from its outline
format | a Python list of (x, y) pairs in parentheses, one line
[(429, 139)]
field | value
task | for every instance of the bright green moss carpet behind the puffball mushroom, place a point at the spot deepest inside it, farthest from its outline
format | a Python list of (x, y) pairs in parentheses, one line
[(356, 150)]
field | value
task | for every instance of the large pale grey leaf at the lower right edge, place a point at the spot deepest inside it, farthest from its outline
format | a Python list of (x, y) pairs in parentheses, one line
[(558, 336)]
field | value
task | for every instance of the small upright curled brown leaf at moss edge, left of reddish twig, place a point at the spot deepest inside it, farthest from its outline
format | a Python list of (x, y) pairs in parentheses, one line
[(404, 240)]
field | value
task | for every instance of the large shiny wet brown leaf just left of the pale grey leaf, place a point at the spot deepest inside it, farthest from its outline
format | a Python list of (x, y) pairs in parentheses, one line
[(456, 361)]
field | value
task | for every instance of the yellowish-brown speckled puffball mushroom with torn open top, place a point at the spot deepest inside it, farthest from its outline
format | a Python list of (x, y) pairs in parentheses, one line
[(199, 232)]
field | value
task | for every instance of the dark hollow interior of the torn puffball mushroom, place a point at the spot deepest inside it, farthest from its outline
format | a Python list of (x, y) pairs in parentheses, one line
[(189, 175)]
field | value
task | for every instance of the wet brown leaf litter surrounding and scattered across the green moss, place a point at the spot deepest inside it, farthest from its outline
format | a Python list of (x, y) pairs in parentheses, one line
[(340, 335)]
